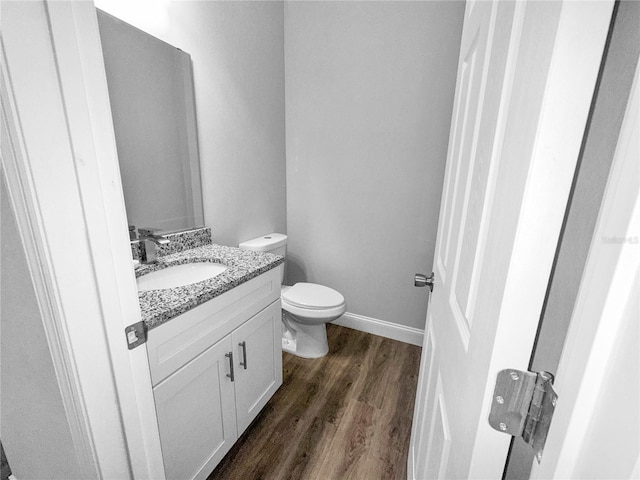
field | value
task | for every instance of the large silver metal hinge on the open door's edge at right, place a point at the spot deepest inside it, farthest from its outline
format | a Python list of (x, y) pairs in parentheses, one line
[(523, 404)]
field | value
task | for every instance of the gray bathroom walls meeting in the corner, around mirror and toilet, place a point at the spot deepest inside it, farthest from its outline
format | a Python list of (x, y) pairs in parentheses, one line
[(369, 94)]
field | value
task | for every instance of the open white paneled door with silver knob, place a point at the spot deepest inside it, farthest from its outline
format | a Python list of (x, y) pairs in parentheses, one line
[(526, 77)]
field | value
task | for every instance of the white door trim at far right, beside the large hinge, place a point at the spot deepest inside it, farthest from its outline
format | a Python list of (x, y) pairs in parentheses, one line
[(596, 427)]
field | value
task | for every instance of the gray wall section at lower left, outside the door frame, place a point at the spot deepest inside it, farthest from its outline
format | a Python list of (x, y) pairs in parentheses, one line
[(28, 383)]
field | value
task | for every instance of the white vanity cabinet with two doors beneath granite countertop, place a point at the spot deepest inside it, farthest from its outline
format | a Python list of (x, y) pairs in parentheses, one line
[(213, 369)]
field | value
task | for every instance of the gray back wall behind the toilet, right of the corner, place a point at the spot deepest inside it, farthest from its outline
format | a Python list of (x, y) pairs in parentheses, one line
[(369, 95)]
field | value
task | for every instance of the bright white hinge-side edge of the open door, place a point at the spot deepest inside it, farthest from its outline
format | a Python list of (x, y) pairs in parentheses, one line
[(565, 107)]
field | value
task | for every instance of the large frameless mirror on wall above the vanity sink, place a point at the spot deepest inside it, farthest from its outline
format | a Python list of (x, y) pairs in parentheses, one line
[(152, 103)]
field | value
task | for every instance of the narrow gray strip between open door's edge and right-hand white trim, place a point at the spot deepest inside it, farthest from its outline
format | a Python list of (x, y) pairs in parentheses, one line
[(609, 105)]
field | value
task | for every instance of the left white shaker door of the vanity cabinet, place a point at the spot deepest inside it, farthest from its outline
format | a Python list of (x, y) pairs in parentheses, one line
[(196, 414)]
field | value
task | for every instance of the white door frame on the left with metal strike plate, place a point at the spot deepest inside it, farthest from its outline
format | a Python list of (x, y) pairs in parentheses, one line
[(72, 224)]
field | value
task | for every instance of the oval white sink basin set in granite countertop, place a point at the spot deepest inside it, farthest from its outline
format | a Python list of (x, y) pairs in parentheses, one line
[(179, 275)]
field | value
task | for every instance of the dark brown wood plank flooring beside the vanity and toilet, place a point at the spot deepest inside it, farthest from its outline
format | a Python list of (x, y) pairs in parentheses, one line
[(345, 416)]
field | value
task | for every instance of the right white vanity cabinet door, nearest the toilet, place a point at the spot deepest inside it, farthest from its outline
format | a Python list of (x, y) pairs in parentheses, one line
[(261, 375)]
